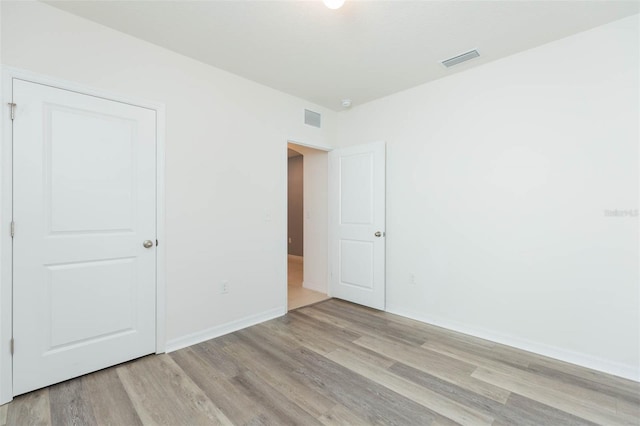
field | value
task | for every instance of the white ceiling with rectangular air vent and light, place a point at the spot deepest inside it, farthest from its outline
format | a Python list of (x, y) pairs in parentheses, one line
[(364, 51)]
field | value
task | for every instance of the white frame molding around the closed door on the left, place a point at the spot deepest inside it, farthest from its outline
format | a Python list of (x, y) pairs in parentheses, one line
[(6, 210)]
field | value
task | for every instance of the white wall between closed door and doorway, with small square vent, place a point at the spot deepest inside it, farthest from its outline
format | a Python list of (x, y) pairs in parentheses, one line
[(214, 231)]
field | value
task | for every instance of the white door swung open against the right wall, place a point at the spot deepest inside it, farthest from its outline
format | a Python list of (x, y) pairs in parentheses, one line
[(357, 224)]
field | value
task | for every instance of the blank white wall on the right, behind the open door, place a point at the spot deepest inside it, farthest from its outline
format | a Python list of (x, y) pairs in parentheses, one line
[(497, 182)]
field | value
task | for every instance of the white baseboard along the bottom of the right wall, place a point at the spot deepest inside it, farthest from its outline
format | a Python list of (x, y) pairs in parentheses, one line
[(630, 372)]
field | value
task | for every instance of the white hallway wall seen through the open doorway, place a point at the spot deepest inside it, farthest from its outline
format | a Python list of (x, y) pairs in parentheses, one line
[(315, 218)]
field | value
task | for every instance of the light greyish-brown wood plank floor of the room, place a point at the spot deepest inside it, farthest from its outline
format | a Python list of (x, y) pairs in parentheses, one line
[(336, 363)]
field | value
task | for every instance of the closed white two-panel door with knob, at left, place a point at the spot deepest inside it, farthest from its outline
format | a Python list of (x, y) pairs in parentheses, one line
[(84, 202)]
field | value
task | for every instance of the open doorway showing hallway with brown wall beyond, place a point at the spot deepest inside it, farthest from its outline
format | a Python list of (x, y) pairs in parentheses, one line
[(307, 281)]
